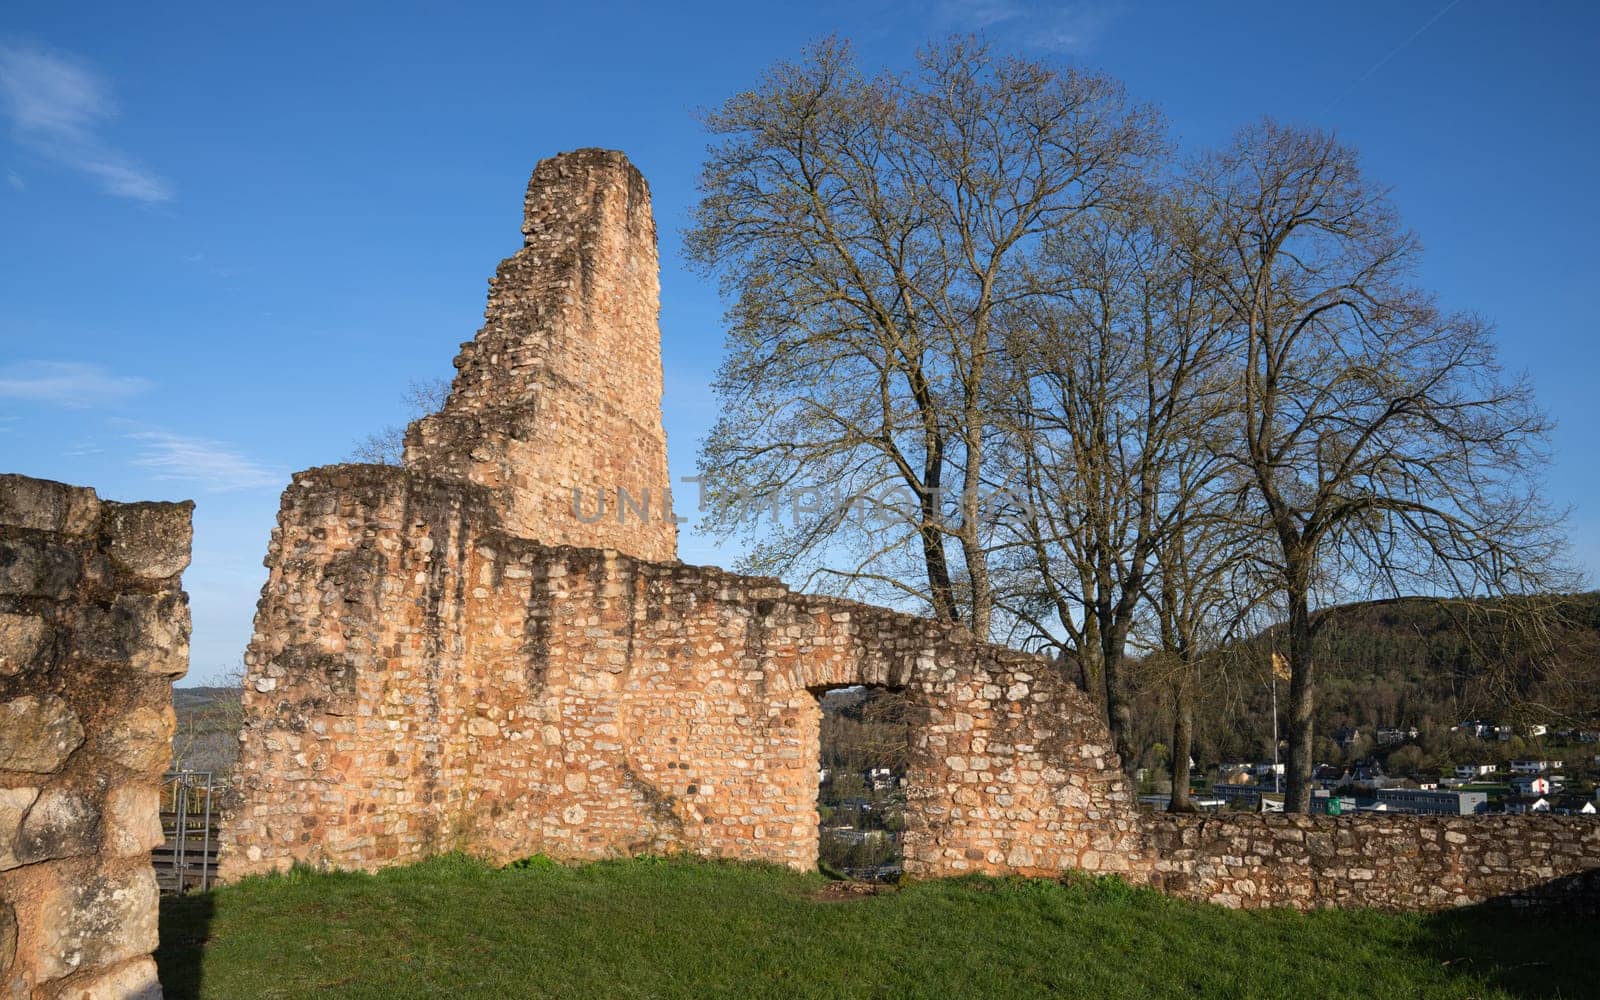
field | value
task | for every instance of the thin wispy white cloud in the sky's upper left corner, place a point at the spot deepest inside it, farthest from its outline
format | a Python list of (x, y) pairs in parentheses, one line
[(57, 106)]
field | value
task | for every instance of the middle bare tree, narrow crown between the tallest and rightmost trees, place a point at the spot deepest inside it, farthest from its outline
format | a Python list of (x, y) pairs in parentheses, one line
[(1113, 380)]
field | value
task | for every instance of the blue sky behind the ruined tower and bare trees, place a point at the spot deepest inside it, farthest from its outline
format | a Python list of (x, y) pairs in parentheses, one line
[(233, 234)]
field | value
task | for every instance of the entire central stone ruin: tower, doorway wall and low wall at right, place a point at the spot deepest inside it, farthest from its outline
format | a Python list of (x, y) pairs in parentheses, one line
[(450, 657)]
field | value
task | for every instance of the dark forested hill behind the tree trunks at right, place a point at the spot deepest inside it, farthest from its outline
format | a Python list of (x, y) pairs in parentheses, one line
[(1409, 663)]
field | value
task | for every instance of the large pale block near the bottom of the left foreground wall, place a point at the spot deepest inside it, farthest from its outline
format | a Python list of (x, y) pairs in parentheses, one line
[(98, 921)]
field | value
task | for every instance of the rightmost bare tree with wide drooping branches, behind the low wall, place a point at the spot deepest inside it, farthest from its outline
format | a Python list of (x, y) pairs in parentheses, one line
[(1385, 446)]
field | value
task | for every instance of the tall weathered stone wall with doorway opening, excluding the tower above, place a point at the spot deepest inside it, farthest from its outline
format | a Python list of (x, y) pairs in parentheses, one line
[(423, 681)]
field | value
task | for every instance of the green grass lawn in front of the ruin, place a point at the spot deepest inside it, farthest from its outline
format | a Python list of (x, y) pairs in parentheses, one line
[(674, 929)]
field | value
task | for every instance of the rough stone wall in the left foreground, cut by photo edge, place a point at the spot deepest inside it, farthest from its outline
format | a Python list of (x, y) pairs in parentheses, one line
[(94, 630)]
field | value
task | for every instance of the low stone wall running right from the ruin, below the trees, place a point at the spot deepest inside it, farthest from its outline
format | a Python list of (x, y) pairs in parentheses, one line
[(1385, 862)]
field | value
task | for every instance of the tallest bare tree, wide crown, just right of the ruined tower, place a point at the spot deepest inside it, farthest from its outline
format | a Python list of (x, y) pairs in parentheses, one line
[(868, 233)]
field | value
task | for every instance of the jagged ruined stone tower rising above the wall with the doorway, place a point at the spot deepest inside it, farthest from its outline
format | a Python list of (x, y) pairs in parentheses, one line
[(556, 406)]
